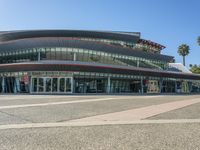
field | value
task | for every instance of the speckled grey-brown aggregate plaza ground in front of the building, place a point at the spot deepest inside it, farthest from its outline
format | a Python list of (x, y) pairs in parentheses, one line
[(29, 109)]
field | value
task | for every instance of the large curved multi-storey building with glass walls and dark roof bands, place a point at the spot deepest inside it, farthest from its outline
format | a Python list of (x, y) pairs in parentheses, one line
[(77, 61)]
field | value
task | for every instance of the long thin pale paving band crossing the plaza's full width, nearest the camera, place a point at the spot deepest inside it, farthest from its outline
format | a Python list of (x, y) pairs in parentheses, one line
[(95, 123)]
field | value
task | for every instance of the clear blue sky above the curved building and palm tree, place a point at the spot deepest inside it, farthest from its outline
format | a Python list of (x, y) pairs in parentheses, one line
[(168, 22)]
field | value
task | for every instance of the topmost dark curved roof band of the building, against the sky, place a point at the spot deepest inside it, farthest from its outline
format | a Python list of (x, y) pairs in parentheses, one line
[(121, 36)]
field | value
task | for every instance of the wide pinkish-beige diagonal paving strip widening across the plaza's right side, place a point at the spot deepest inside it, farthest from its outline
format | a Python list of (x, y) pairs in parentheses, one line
[(140, 113)]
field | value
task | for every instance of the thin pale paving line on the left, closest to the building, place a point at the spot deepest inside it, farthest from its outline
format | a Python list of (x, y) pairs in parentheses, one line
[(55, 103)]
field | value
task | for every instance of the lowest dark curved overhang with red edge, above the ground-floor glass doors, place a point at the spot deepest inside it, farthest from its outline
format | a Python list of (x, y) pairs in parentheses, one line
[(93, 67)]
